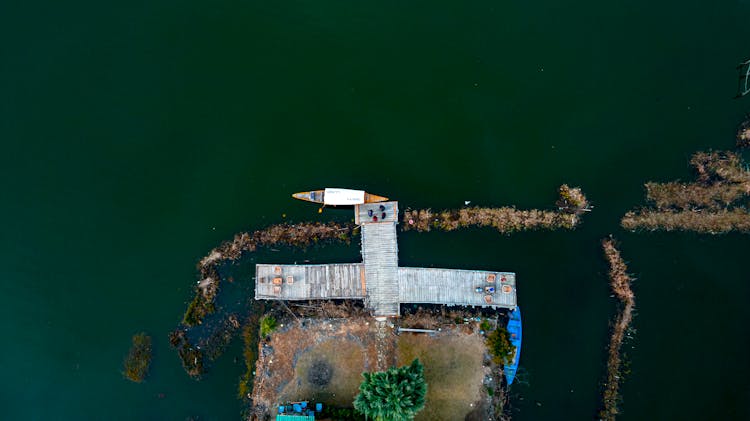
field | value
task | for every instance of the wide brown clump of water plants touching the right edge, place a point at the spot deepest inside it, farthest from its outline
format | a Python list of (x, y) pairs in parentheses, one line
[(711, 205)]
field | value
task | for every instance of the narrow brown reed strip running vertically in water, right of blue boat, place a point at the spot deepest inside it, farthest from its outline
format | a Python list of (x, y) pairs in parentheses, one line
[(620, 282)]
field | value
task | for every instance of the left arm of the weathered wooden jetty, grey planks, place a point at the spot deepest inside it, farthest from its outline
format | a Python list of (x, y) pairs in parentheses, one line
[(309, 282)]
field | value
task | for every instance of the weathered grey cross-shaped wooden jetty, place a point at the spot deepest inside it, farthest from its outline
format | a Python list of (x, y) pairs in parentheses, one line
[(378, 280)]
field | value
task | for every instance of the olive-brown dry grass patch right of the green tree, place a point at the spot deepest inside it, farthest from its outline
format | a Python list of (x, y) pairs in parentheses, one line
[(453, 371)]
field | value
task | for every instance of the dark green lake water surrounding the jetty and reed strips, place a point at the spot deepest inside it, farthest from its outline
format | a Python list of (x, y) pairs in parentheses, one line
[(138, 135)]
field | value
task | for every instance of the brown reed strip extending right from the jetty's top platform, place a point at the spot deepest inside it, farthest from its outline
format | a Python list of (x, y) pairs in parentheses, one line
[(571, 205)]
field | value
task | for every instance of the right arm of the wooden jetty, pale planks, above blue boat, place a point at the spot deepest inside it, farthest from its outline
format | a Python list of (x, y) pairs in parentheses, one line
[(455, 287)]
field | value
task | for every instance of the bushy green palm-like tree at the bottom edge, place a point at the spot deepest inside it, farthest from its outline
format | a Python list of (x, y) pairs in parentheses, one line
[(393, 395)]
